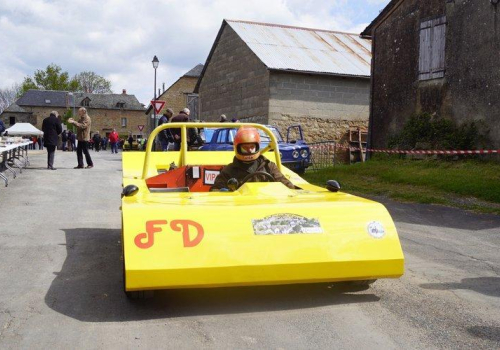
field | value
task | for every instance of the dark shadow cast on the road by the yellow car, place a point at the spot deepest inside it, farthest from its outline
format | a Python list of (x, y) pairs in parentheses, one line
[(89, 288)]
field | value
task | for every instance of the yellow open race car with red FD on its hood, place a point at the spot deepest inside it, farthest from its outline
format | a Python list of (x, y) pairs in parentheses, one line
[(178, 234)]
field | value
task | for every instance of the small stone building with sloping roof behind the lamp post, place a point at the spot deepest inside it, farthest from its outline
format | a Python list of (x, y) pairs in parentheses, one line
[(181, 94)]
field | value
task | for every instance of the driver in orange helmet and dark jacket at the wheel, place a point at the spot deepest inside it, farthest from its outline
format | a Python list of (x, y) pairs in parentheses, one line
[(247, 161)]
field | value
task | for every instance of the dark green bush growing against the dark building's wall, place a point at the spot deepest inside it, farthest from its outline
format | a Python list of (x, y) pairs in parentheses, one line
[(436, 133)]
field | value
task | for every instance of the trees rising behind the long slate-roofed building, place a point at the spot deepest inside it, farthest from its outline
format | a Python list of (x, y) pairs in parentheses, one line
[(50, 79)]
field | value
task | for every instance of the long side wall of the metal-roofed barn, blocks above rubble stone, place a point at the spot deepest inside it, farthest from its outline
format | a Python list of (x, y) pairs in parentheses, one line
[(325, 106)]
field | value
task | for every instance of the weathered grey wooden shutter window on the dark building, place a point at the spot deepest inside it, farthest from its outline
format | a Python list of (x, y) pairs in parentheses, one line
[(432, 48)]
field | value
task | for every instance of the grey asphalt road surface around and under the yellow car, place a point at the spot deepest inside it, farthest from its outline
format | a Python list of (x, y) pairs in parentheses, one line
[(61, 283)]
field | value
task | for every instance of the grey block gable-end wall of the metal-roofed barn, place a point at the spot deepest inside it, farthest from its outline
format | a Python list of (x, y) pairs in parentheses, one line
[(235, 83)]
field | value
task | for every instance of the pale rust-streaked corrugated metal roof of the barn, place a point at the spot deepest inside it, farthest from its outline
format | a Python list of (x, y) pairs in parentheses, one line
[(306, 50)]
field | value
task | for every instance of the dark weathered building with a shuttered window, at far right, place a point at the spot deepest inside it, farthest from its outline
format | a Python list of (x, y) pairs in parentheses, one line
[(438, 57)]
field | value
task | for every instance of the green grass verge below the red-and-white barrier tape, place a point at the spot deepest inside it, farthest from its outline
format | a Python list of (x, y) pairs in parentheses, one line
[(471, 185)]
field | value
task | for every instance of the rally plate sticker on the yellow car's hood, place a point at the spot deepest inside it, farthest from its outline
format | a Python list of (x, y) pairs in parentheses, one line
[(286, 224)]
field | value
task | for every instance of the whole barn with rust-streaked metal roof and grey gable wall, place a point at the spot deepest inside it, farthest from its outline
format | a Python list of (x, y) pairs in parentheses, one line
[(282, 75)]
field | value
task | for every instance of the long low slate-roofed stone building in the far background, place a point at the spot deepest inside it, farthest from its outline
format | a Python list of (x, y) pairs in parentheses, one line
[(107, 111)]
